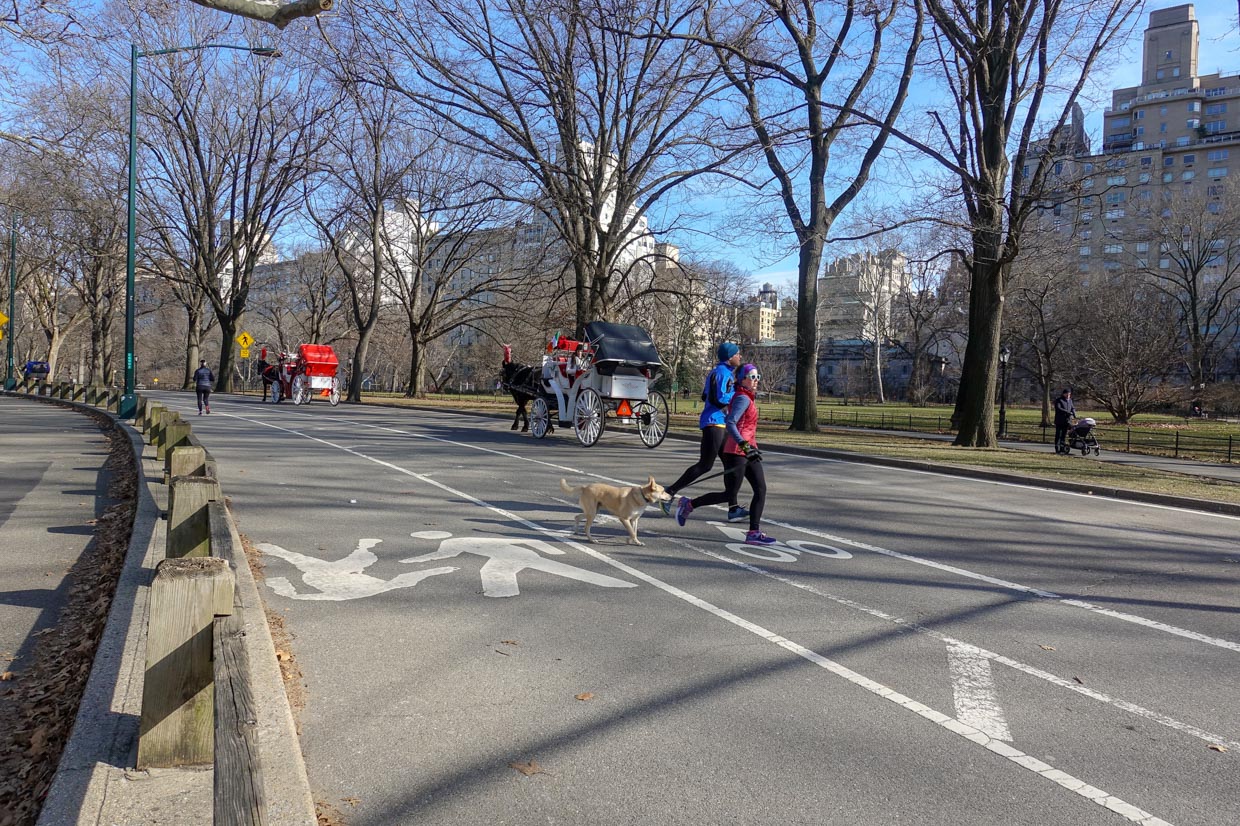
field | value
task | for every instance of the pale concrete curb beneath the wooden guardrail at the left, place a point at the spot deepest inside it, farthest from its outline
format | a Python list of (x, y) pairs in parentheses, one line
[(96, 782)]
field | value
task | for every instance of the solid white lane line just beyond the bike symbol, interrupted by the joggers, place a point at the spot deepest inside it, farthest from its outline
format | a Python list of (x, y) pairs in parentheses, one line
[(897, 555)]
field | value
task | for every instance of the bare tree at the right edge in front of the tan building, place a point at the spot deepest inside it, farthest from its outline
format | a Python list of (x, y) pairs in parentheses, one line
[(1190, 249)]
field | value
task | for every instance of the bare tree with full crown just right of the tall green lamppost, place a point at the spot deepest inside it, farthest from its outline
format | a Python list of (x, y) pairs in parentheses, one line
[(228, 141)]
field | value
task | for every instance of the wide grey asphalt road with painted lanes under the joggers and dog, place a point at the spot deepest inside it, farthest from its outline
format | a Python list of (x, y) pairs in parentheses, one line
[(919, 649)]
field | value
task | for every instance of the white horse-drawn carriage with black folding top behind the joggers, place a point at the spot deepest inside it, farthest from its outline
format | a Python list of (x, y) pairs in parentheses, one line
[(611, 374)]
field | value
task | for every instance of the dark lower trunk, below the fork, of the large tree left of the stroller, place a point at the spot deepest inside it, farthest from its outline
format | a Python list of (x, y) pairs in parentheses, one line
[(975, 405)]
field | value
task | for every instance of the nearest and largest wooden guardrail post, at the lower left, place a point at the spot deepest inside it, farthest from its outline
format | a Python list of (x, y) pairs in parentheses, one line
[(178, 724)]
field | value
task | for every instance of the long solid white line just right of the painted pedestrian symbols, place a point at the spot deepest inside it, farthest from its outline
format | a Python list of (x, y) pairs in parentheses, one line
[(965, 731)]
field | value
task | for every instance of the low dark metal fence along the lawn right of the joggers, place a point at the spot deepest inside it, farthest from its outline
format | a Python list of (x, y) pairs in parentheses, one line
[(1149, 441)]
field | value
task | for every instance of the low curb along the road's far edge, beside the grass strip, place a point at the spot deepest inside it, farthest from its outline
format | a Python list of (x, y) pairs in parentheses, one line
[(1124, 494)]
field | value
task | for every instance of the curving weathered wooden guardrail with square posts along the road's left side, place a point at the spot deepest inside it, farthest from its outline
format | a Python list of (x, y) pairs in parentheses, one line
[(198, 703)]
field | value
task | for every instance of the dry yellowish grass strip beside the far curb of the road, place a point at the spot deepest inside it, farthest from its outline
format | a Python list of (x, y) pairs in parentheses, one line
[(1035, 466)]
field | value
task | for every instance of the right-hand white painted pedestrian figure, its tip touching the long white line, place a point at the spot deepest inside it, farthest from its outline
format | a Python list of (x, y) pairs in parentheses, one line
[(509, 556)]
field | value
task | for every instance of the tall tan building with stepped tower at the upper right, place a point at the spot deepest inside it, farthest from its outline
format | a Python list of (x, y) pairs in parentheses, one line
[(1170, 144)]
